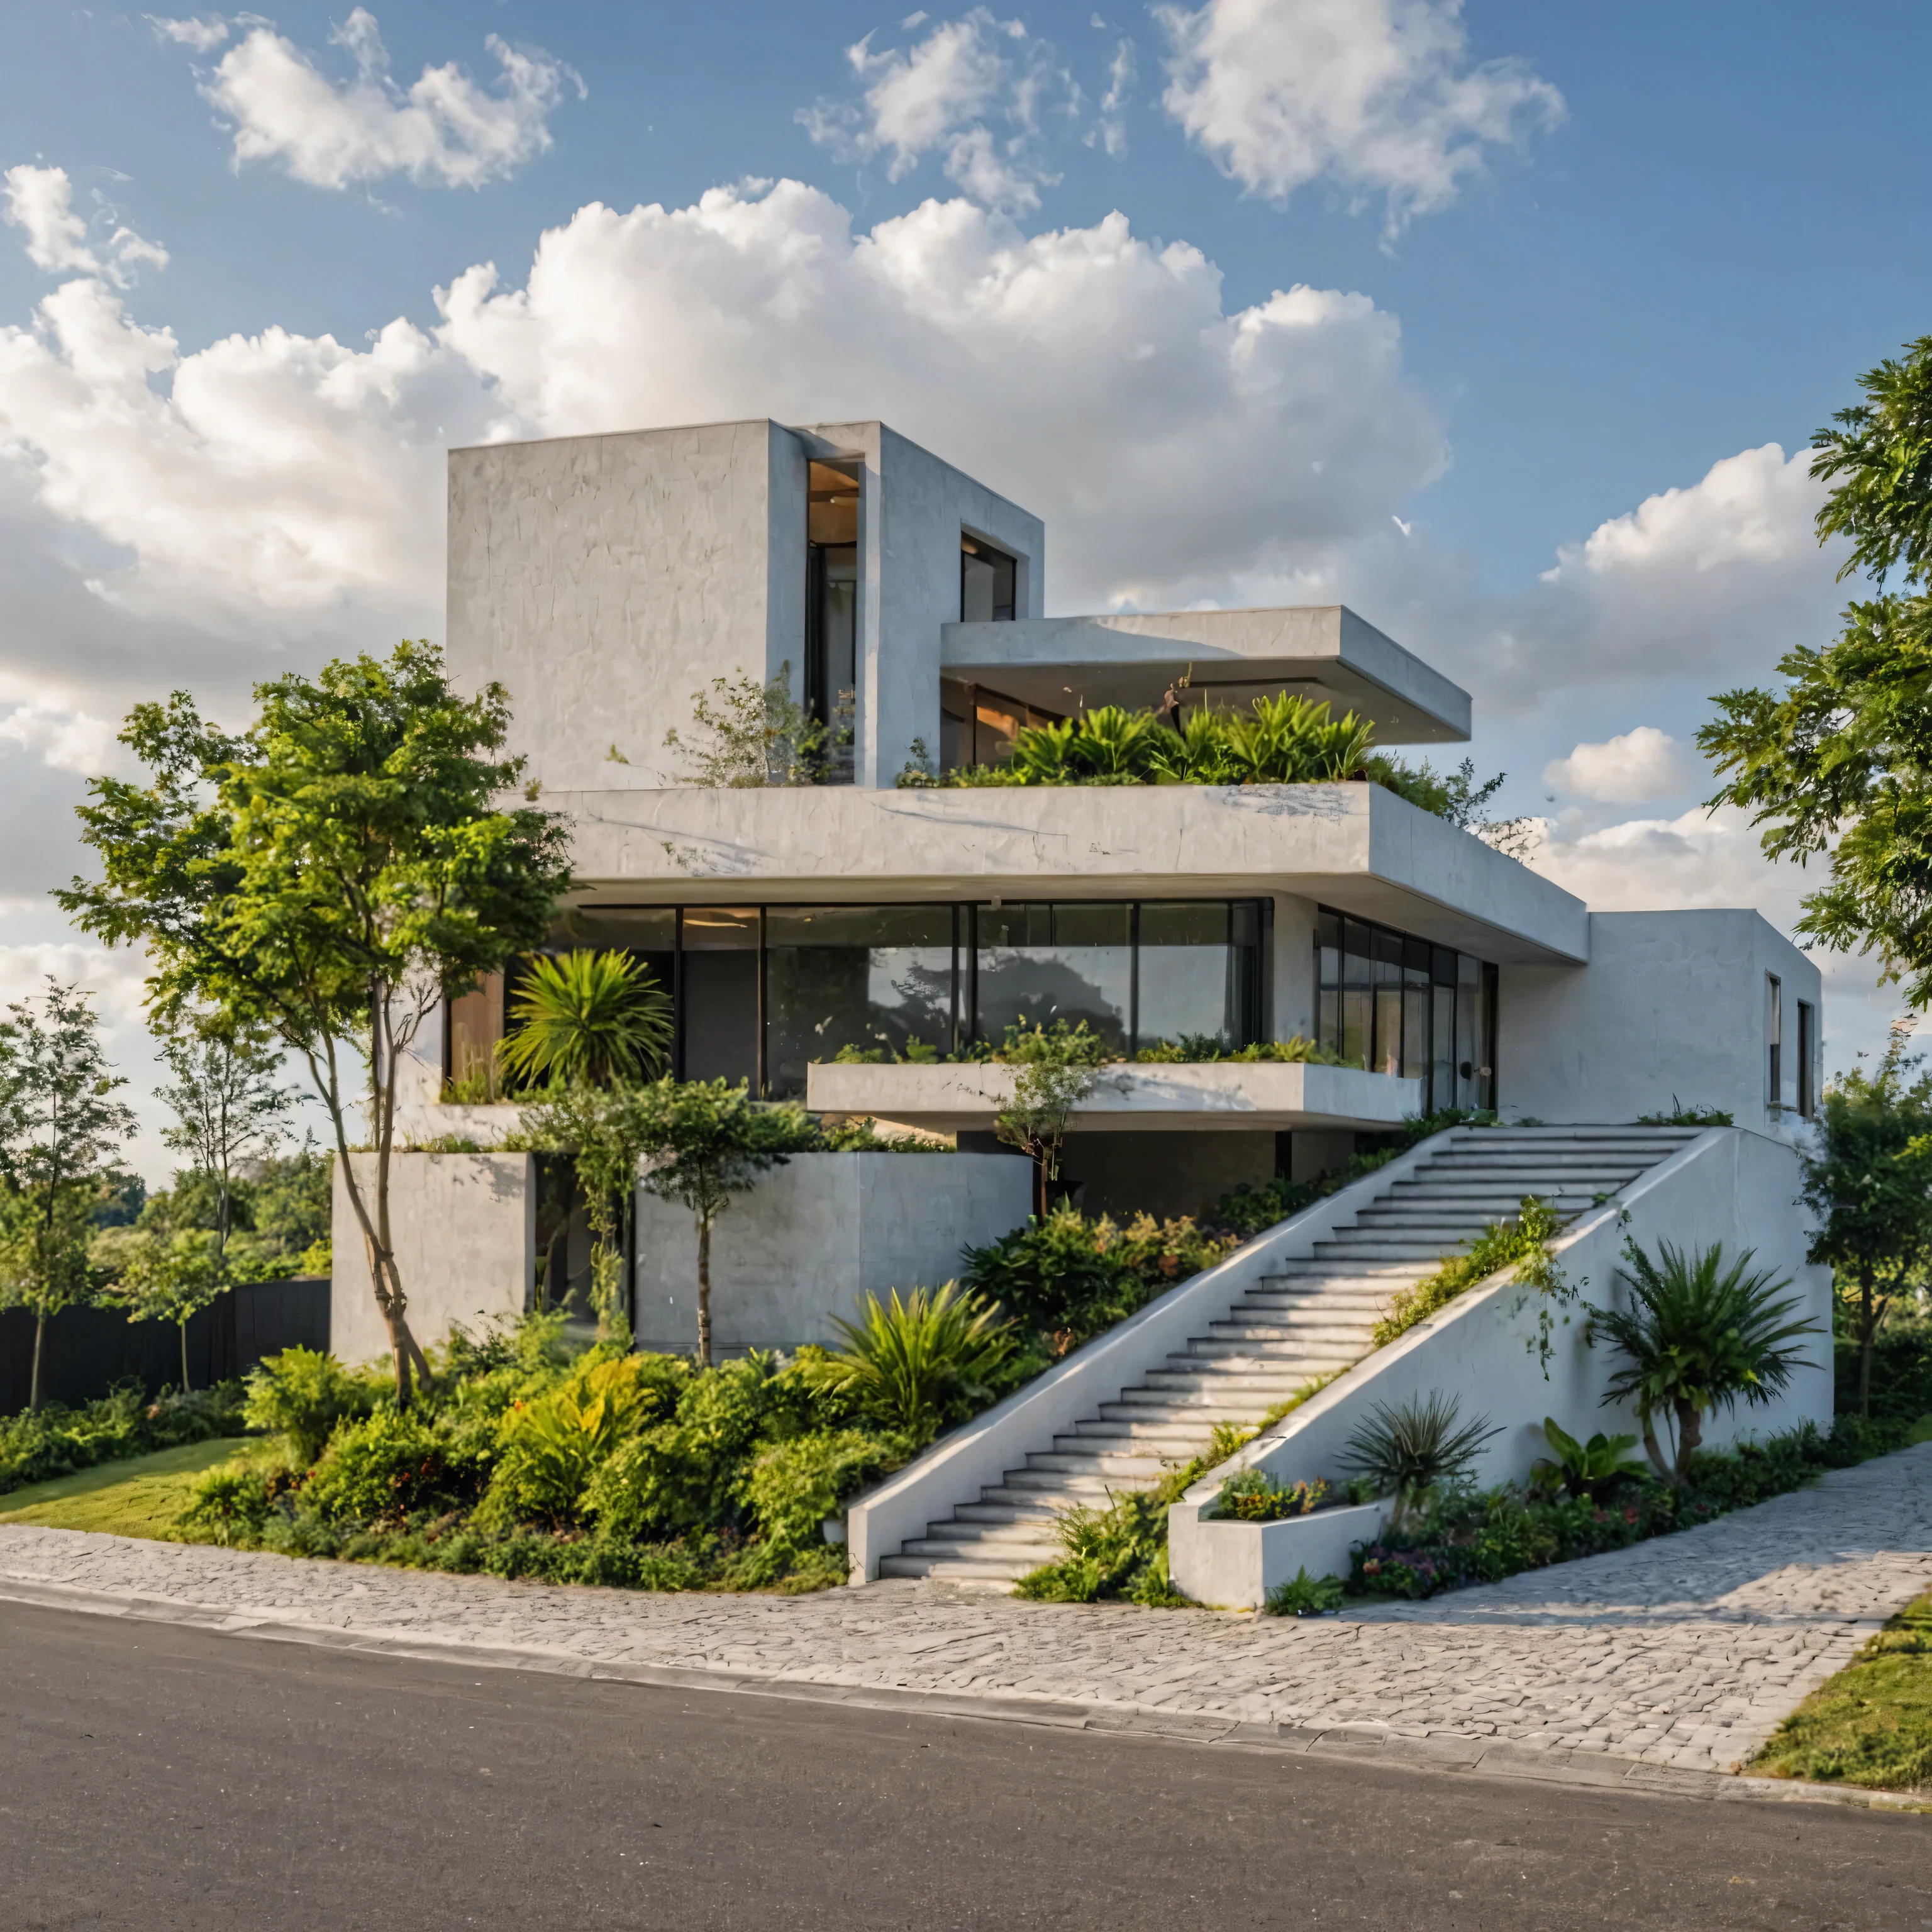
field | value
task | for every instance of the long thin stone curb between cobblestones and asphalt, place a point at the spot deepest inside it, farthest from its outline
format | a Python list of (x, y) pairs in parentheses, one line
[(1371, 1744)]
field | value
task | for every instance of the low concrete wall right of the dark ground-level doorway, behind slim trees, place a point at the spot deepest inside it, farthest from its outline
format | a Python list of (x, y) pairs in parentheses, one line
[(816, 1236)]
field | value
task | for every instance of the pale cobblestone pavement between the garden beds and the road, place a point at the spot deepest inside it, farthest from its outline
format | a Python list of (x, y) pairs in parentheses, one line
[(1680, 1653)]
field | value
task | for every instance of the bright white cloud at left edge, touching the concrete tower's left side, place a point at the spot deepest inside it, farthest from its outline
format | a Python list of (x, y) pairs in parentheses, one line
[(273, 476)]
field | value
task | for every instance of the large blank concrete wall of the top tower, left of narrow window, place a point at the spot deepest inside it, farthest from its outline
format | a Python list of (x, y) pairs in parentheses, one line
[(608, 579)]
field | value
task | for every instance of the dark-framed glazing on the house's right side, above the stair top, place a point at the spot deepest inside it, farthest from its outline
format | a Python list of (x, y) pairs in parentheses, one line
[(1402, 1006)]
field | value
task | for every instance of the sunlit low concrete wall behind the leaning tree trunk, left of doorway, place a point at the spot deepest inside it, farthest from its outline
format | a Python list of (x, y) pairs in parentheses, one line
[(465, 1228)]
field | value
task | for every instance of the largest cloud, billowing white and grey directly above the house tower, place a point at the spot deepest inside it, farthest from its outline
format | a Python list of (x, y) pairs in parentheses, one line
[(1085, 372)]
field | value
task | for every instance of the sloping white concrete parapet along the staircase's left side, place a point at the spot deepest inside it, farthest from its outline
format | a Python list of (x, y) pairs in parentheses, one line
[(979, 1454)]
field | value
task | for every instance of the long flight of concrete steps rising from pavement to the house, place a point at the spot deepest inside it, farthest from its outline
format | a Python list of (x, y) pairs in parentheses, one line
[(1311, 1319)]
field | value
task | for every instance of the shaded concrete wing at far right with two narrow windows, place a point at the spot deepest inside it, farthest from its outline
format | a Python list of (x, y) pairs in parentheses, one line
[(1672, 1004)]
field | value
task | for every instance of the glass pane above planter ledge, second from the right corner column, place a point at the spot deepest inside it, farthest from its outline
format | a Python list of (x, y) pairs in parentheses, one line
[(1044, 963)]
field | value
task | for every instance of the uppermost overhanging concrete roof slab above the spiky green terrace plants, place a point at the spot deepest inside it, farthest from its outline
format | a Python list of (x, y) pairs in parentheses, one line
[(1065, 664)]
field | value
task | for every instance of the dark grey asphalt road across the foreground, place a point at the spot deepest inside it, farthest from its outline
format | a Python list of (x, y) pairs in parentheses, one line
[(165, 1778)]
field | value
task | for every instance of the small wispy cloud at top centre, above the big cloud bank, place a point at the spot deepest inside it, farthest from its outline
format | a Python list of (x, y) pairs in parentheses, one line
[(942, 94)]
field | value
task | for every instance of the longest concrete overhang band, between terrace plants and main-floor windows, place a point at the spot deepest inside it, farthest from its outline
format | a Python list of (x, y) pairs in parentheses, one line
[(1355, 847)]
